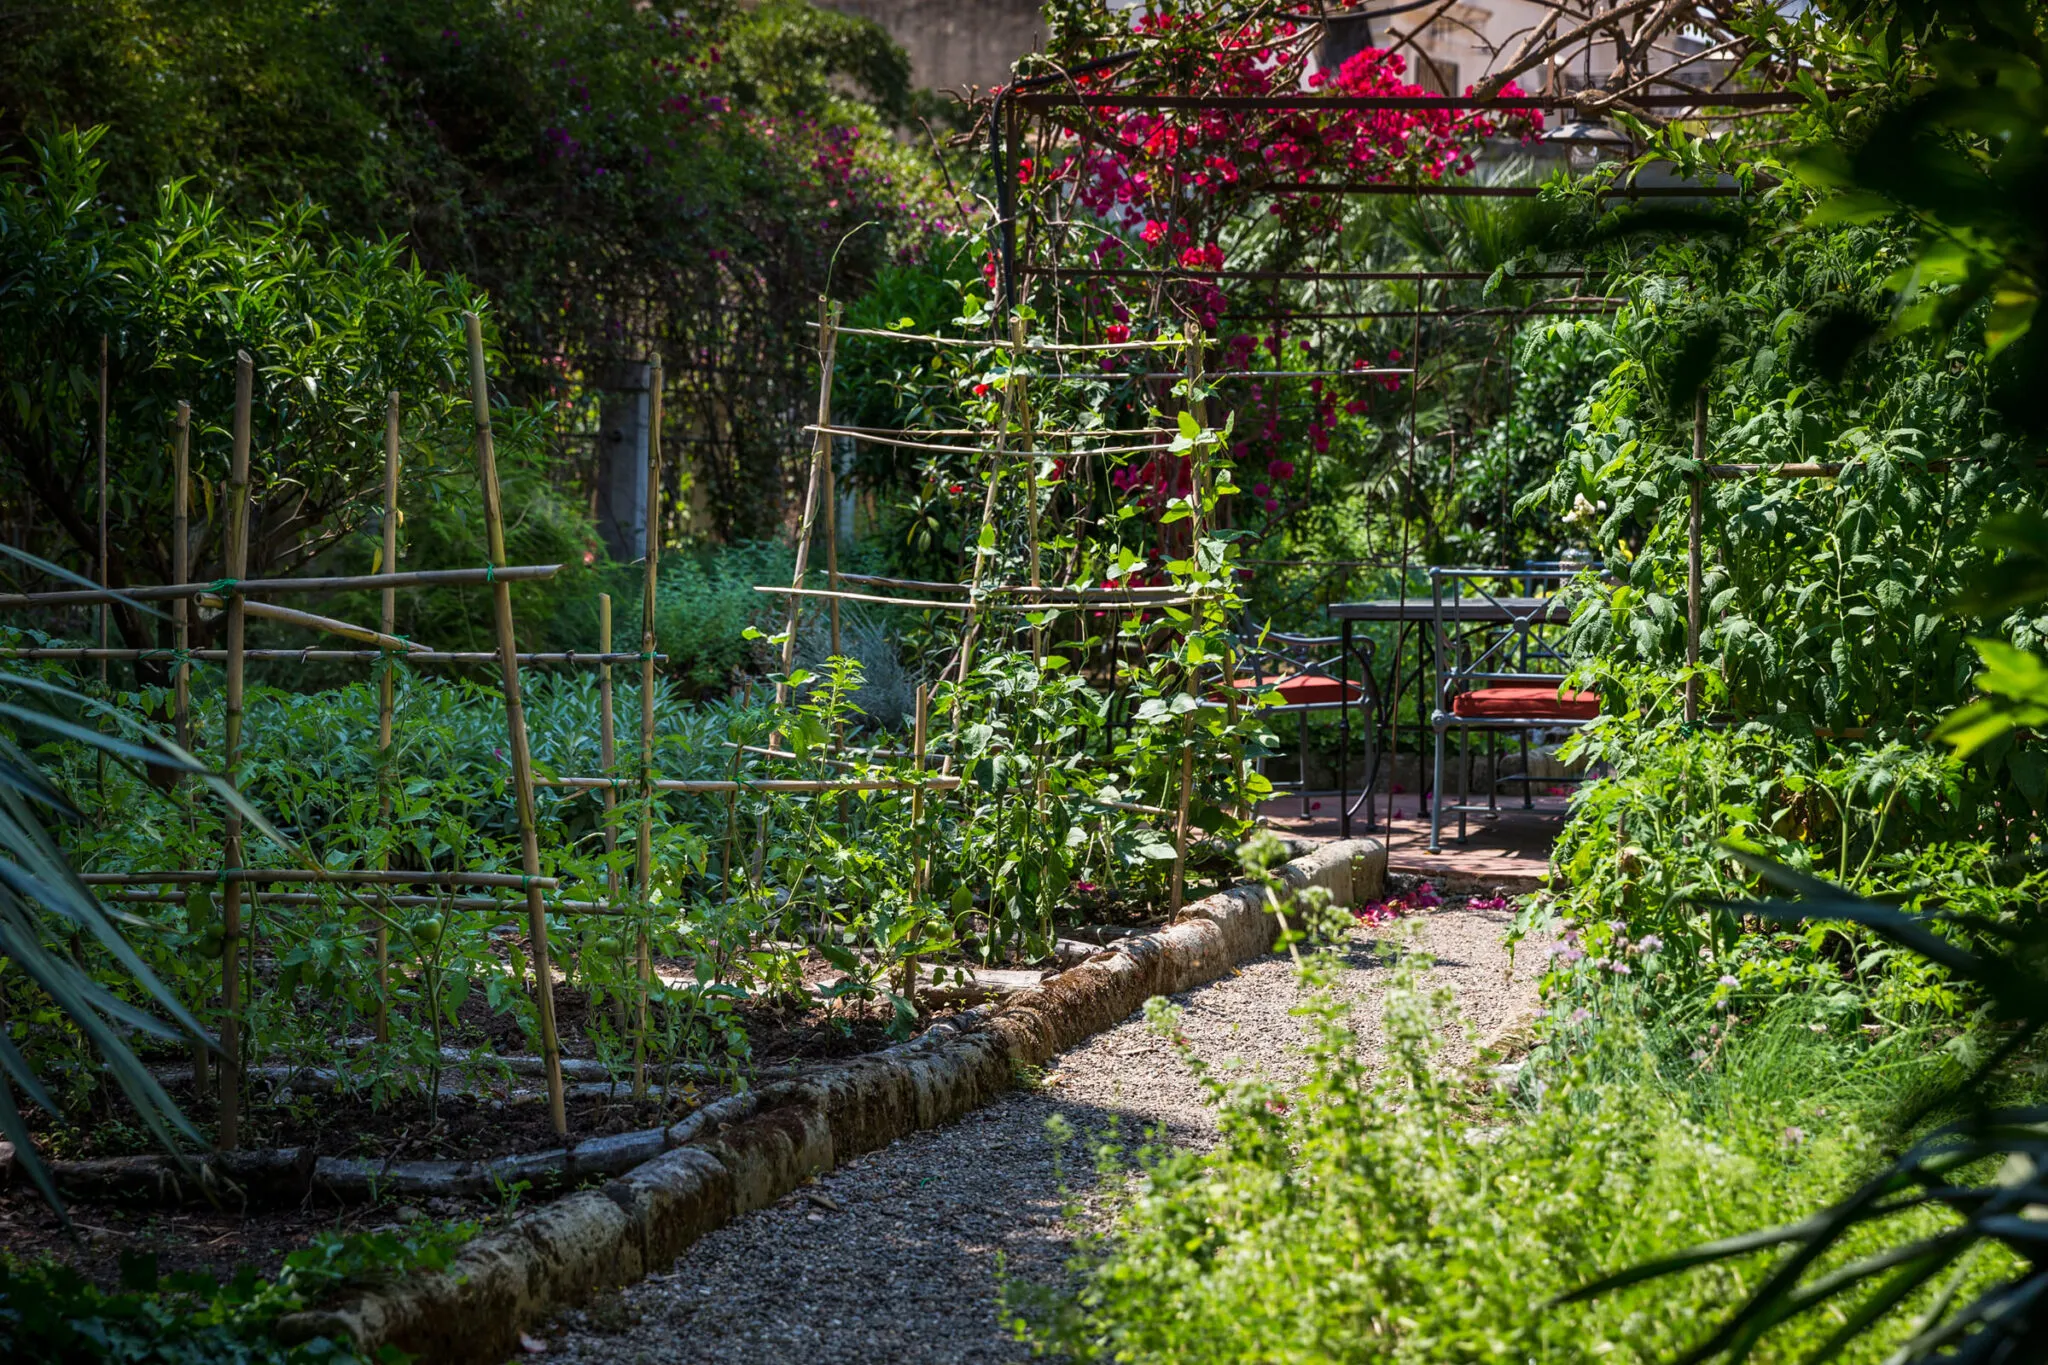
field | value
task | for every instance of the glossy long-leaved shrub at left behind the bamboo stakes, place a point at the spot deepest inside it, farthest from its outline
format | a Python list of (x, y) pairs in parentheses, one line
[(177, 285)]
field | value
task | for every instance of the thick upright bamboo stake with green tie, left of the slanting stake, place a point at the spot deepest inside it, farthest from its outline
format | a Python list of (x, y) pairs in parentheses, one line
[(234, 566)]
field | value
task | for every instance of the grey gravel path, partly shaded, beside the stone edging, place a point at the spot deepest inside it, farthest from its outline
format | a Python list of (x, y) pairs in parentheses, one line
[(894, 1258)]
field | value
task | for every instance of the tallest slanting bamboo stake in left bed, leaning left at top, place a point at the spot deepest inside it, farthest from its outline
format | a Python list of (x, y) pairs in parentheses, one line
[(495, 527)]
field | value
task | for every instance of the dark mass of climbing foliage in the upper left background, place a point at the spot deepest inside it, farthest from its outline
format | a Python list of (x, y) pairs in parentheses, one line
[(613, 177)]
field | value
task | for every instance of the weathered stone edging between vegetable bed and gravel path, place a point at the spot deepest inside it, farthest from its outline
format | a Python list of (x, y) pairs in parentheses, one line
[(755, 1149)]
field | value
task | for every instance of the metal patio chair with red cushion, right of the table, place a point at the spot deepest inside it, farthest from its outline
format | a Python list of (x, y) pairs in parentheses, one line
[(1488, 678)]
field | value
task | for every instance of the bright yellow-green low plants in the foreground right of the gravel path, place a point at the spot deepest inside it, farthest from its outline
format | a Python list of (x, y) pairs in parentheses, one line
[(1414, 1215)]
